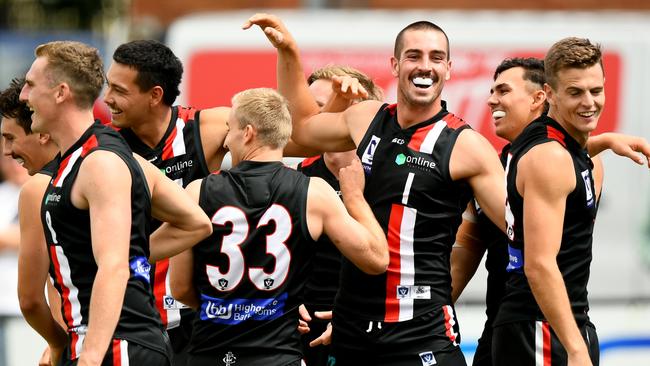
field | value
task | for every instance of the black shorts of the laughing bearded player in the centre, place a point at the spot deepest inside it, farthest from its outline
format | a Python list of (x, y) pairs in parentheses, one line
[(416, 342)]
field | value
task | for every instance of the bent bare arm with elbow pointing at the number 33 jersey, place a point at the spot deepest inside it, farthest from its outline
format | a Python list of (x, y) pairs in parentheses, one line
[(184, 222)]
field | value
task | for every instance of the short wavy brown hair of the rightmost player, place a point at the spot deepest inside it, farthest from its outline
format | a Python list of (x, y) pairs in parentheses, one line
[(571, 52)]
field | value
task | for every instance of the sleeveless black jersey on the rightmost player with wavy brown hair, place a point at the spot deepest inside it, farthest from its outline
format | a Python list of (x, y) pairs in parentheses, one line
[(574, 256)]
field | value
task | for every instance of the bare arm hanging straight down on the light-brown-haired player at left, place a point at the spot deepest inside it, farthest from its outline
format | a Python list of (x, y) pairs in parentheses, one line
[(107, 197)]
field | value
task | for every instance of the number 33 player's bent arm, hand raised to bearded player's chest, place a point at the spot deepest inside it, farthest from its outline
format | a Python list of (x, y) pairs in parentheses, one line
[(356, 234)]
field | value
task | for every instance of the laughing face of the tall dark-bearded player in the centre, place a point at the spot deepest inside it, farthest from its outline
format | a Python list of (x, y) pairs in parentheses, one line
[(422, 67)]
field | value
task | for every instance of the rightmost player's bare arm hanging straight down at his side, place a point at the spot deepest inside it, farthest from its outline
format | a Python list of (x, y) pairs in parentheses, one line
[(545, 177)]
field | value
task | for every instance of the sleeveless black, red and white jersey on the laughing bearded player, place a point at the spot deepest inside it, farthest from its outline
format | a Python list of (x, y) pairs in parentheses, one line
[(414, 199)]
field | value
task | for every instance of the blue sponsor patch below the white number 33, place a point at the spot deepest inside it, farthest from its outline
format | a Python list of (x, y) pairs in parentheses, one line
[(236, 311)]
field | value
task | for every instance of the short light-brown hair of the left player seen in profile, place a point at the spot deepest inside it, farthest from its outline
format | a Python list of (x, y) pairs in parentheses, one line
[(76, 64)]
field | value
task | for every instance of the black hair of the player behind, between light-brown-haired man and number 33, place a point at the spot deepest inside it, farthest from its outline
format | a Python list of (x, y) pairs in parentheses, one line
[(156, 65)]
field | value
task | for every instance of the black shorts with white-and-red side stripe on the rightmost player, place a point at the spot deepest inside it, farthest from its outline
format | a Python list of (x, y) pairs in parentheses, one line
[(535, 343)]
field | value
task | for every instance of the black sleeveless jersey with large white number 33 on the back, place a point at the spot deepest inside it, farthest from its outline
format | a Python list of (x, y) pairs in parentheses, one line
[(251, 271)]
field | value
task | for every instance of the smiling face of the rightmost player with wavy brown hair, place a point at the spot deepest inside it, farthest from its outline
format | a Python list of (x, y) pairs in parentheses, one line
[(578, 99)]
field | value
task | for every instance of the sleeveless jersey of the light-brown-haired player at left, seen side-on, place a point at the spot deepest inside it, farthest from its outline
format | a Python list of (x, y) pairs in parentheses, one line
[(73, 268)]
